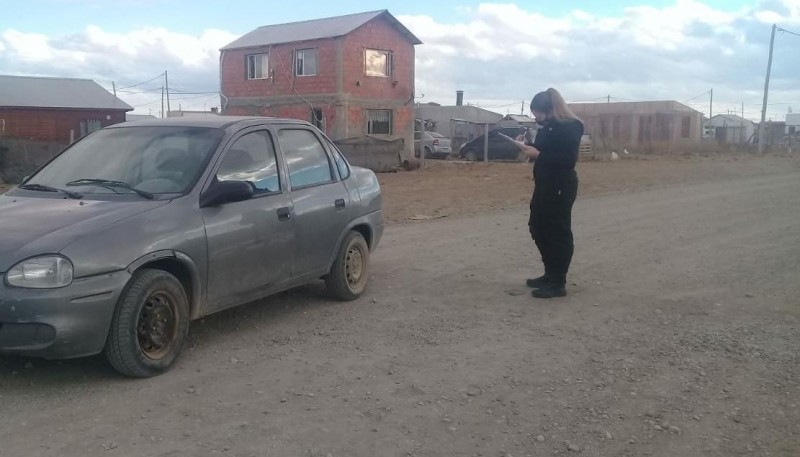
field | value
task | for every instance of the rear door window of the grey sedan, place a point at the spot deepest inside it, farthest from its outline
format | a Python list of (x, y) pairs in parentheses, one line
[(306, 159)]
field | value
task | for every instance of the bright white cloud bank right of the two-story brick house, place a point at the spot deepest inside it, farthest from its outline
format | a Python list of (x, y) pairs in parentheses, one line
[(503, 52)]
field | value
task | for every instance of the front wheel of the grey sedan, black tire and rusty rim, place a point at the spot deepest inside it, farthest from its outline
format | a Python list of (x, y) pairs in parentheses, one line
[(149, 325)]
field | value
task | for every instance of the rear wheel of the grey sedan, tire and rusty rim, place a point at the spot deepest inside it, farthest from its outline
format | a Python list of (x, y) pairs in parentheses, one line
[(349, 274)]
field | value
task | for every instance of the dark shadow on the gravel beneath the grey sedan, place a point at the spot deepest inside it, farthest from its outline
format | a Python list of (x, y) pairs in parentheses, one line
[(21, 373)]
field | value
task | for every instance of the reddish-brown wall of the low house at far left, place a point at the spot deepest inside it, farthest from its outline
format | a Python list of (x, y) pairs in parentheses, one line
[(52, 125)]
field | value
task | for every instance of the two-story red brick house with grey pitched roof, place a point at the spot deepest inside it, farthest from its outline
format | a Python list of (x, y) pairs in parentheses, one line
[(349, 75)]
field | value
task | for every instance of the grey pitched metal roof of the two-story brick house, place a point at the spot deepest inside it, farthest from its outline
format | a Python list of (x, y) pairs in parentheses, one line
[(315, 29)]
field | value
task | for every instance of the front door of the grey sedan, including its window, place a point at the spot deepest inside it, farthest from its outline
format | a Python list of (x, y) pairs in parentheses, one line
[(250, 243)]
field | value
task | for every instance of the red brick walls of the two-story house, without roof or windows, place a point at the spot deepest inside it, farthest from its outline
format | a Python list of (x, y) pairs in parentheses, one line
[(344, 111)]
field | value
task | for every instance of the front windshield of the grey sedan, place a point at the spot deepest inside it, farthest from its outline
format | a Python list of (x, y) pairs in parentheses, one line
[(132, 160)]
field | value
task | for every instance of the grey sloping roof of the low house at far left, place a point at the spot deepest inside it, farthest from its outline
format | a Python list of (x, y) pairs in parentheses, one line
[(38, 92)]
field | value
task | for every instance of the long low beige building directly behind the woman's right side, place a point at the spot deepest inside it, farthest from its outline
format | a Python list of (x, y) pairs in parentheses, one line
[(640, 124)]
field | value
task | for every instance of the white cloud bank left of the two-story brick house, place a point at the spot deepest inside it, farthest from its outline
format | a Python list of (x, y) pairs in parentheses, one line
[(125, 58)]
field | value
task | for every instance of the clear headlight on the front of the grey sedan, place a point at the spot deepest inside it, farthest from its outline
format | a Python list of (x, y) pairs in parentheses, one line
[(46, 272)]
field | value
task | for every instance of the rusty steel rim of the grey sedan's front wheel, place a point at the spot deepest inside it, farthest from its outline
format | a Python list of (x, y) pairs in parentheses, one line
[(157, 327)]
